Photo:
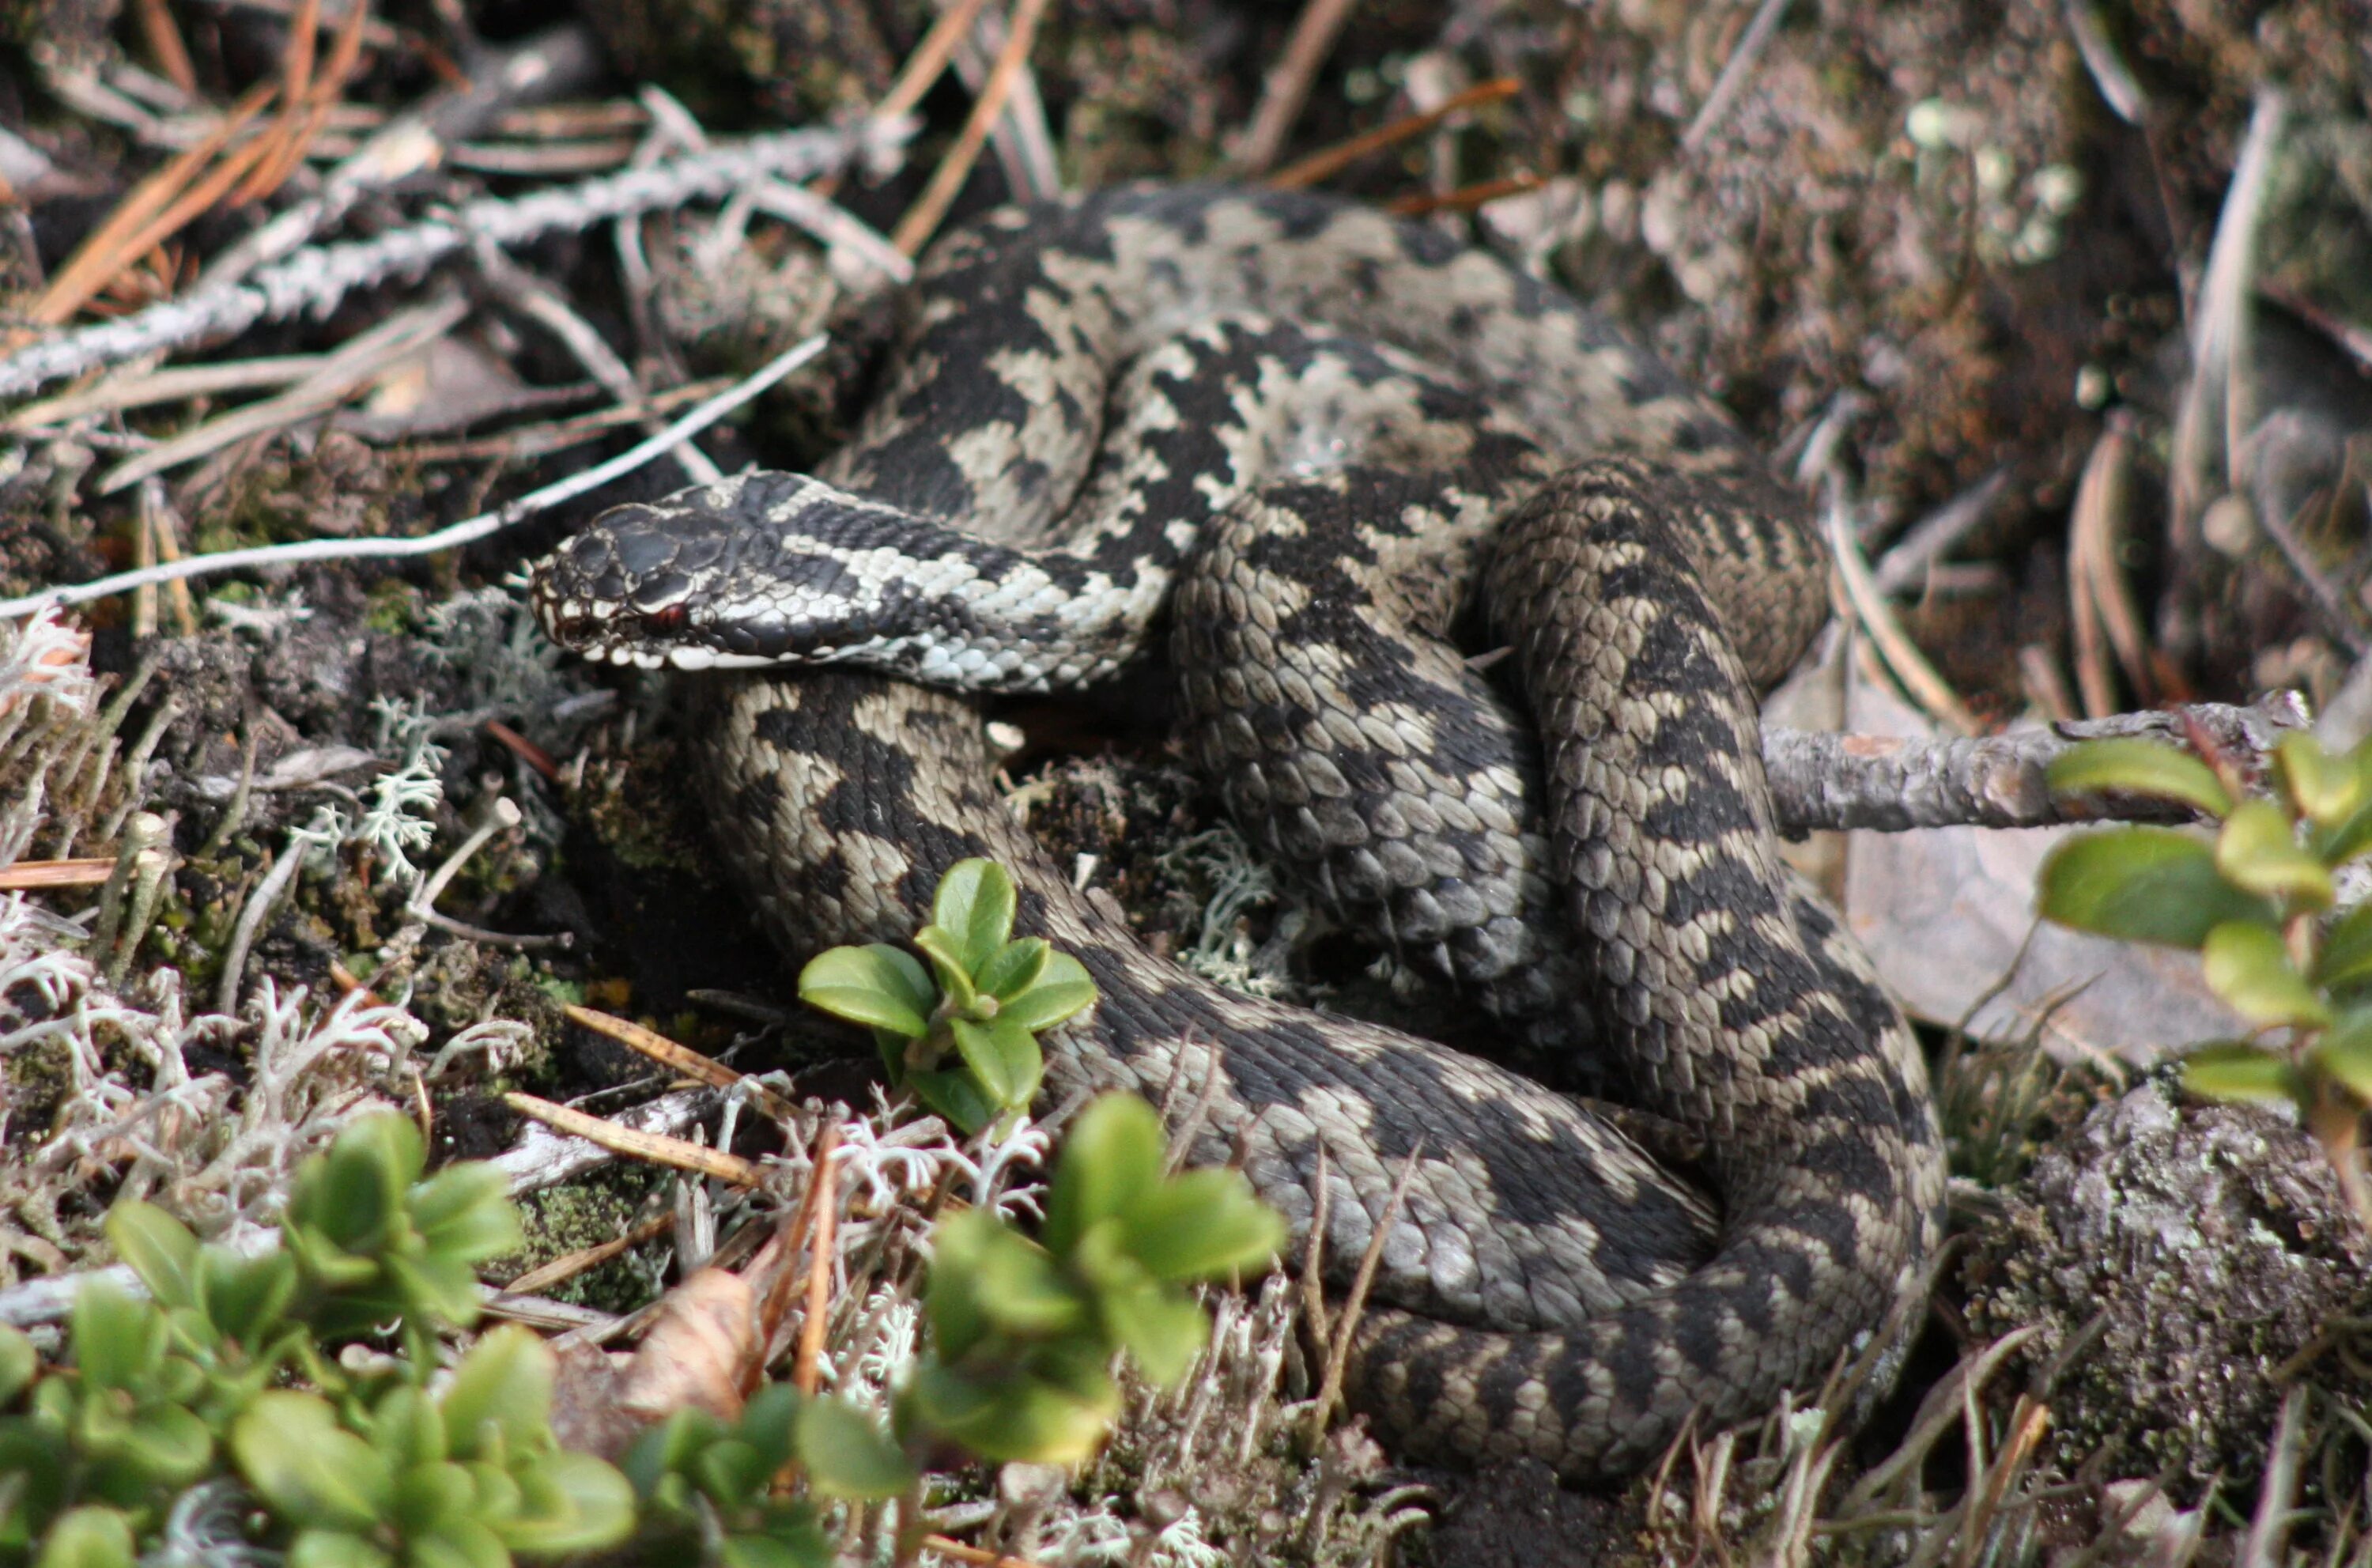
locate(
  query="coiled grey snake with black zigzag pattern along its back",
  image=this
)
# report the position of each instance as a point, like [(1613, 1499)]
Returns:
[(1320, 445)]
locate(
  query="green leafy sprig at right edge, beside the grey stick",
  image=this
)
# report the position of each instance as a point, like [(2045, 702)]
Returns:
[(2257, 907)]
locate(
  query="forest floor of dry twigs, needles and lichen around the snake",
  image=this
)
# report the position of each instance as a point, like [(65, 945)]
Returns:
[(2067, 310)]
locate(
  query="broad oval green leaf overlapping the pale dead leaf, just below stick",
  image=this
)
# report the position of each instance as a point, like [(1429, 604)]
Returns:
[(2143, 886)]
